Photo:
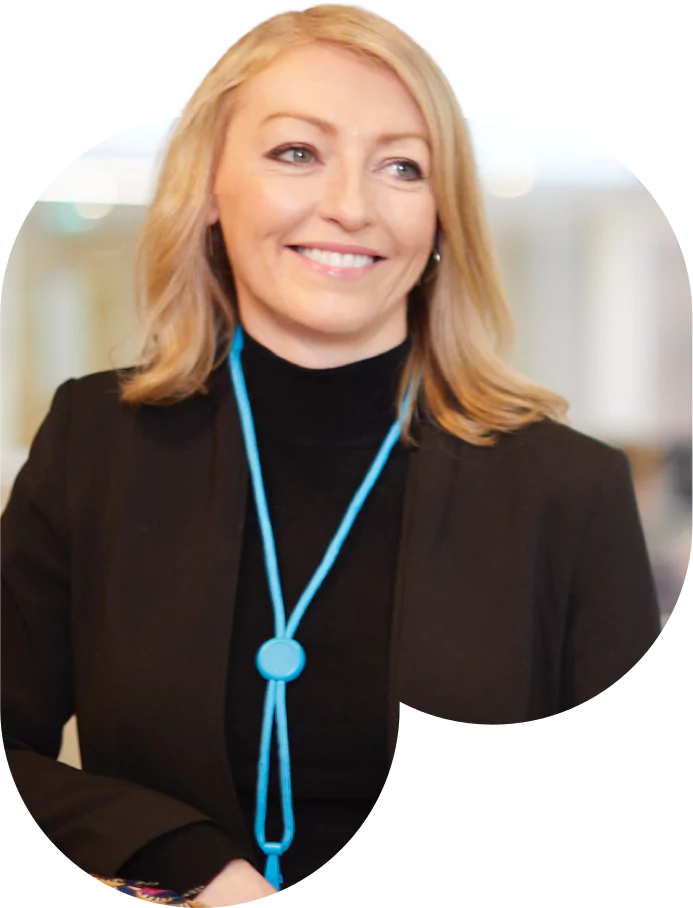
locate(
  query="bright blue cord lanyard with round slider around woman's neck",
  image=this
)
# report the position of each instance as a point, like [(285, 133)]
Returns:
[(281, 658)]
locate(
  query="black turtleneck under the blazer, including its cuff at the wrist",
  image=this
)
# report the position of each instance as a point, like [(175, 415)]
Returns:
[(318, 432)]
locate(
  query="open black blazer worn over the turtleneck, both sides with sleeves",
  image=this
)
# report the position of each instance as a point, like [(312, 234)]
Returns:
[(523, 590)]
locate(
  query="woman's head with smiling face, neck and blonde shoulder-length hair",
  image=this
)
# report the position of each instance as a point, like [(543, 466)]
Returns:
[(276, 150)]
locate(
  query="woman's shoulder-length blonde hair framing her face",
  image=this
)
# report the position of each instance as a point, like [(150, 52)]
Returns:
[(459, 322)]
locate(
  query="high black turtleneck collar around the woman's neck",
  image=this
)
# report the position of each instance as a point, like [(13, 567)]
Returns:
[(351, 404)]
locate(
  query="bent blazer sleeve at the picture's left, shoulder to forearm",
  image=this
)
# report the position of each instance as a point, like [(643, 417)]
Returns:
[(94, 822)]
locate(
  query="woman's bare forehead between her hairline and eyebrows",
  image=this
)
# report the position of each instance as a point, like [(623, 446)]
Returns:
[(329, 79)]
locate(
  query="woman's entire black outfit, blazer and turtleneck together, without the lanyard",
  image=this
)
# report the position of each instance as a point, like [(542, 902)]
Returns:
[(494, 587)]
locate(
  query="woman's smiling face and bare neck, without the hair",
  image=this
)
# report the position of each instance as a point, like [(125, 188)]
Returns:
[(349, 183)]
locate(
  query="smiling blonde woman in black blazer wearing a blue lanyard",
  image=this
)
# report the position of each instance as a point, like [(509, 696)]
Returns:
[(323, 310)]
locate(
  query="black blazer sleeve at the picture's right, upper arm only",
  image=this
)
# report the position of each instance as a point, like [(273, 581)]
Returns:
[(614, 617)]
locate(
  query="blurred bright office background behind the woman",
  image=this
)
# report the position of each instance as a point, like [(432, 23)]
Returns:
[(595, 271)]
